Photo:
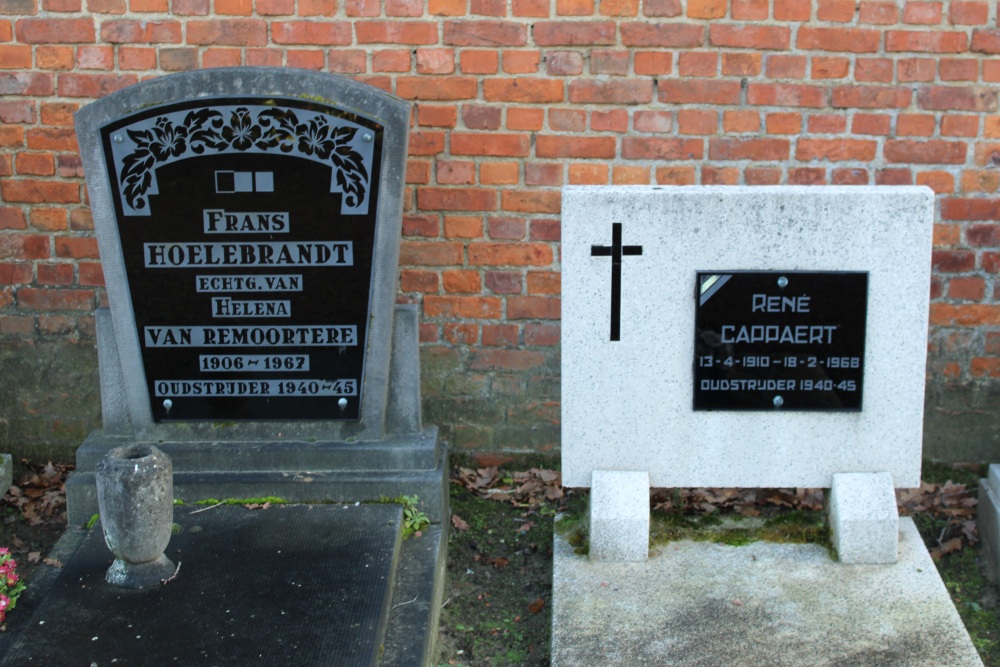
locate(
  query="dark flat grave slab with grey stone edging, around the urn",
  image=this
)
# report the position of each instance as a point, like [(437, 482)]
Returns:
[(286, 585)]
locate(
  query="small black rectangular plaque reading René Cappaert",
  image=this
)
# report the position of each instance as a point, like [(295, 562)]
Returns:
[(780, 340)]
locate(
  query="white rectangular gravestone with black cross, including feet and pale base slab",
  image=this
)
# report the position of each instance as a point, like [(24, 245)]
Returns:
[(743, 337)]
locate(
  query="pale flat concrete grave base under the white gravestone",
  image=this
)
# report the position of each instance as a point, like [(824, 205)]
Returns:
[(781, 605)]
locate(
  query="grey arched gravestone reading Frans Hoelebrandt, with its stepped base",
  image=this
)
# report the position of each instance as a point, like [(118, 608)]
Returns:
[(249, 222)]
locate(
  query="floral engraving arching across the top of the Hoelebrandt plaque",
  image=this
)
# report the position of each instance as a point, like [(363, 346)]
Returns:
[(207, 130)]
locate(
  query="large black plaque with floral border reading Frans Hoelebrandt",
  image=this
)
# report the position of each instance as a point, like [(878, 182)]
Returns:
[(247, 228)]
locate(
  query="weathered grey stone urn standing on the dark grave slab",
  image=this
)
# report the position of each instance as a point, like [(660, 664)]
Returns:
[(135, 494)]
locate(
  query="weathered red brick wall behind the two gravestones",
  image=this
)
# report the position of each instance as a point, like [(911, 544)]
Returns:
[(513, 99)]
